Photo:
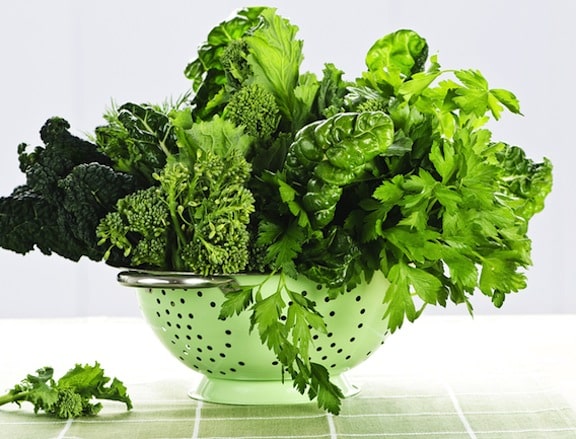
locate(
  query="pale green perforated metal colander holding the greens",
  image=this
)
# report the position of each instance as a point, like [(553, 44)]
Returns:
[(183, 311)]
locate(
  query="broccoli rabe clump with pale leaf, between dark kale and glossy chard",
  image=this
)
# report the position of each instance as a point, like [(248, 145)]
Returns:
[(197, 218)]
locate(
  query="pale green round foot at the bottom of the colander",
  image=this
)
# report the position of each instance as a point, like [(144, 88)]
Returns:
[(241, 392)]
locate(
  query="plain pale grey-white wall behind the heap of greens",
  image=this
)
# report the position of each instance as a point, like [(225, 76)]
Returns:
[(71, 59)]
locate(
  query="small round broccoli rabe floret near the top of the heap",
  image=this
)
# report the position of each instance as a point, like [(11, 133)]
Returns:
[(256, 110)]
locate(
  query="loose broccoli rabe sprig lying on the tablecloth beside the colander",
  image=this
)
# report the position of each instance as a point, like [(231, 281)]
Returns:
[(72, 395)]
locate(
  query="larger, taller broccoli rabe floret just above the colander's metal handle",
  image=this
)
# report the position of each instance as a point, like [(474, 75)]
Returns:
[(211, 208)]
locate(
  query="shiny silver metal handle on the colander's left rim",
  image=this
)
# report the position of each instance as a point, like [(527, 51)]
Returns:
[(158, 279)]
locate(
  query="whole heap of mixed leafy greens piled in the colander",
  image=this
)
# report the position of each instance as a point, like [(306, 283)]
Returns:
[(263, 167)]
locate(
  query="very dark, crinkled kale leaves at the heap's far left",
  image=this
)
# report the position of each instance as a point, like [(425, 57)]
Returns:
[(69, 187)]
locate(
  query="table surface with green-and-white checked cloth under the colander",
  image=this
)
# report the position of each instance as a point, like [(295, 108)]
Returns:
[(442, 377)]
